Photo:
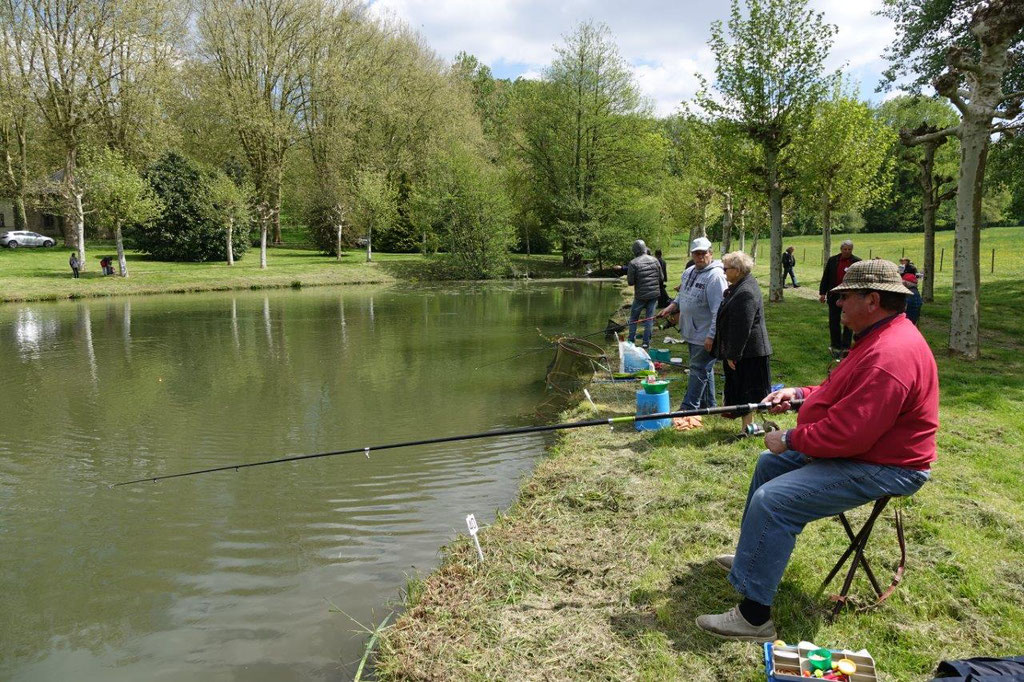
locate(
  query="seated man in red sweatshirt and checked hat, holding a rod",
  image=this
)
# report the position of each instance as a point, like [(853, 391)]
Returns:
[(867, 433)]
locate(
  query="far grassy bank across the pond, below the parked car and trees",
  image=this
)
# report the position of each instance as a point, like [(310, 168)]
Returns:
[(31, 275)]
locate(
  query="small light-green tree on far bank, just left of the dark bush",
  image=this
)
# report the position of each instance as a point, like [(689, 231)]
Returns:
[(117, 196)]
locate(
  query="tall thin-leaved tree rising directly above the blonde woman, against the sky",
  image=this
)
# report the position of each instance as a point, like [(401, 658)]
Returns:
[(770, 76)]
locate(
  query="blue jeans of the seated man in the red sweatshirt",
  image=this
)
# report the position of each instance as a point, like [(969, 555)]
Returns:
[(791, 490)]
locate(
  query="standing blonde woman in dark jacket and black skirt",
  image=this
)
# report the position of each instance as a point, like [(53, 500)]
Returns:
[(742, 338)]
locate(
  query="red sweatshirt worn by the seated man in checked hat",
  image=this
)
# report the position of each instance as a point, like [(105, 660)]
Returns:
[(880, 405)]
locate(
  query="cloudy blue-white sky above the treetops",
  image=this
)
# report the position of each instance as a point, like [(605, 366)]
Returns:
[(665, 41)]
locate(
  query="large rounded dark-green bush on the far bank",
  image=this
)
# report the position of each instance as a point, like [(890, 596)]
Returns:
[(191, 228)]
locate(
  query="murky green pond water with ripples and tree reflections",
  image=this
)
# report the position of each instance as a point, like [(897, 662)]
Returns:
[(266, 573)]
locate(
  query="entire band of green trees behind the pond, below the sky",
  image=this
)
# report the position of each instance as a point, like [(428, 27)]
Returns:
[(113, 112)]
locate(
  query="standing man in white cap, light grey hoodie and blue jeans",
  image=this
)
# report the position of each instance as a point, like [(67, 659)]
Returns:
[(701, 294)]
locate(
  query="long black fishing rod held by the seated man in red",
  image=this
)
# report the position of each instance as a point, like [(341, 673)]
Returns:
[(611, 421)]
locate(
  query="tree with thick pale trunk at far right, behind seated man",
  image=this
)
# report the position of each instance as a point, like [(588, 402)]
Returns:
[(967, 51)]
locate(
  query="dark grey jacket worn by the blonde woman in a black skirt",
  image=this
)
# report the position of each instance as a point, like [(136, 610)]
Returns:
[(741, 330)]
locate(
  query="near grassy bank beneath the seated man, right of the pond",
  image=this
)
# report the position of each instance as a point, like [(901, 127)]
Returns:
[(600, 569)]
